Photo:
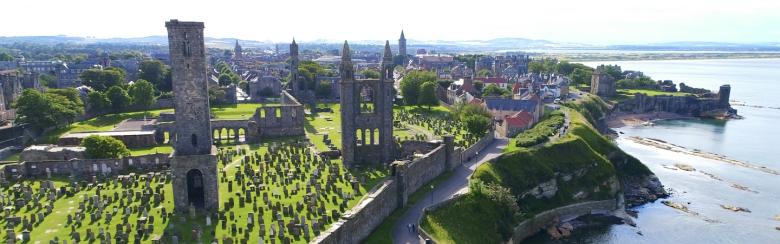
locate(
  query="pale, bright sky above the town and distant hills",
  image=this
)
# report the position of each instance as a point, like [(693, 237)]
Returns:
[(588, 22)]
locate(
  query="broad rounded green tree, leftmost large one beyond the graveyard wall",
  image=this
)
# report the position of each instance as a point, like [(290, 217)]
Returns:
[(43, 110)]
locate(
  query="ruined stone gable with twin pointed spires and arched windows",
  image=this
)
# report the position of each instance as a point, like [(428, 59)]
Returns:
[(367, 113)]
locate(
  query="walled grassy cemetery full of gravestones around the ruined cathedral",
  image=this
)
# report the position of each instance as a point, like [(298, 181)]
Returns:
[(266, 173)]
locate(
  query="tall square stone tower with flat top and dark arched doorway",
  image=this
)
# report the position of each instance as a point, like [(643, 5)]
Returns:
[(194, 161)]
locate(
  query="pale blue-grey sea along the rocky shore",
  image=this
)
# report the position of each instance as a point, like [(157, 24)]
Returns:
[(753, 140)]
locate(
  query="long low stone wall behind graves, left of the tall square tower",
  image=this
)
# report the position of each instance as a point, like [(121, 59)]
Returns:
[(87, 167)]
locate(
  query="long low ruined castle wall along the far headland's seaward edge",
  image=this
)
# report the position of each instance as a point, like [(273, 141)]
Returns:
[(686, 105)]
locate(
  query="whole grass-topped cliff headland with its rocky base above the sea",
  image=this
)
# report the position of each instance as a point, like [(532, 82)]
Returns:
[(581, 168)]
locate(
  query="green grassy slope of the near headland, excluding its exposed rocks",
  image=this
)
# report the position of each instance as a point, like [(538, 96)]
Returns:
[(522, 169)]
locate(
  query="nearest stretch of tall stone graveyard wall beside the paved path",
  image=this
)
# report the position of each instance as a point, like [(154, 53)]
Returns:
[(361, 220)]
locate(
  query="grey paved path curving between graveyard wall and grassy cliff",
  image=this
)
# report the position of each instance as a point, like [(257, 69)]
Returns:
[(457, 183)]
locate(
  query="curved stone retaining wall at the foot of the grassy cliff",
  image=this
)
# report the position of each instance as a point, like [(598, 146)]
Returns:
[(533, 225)]
